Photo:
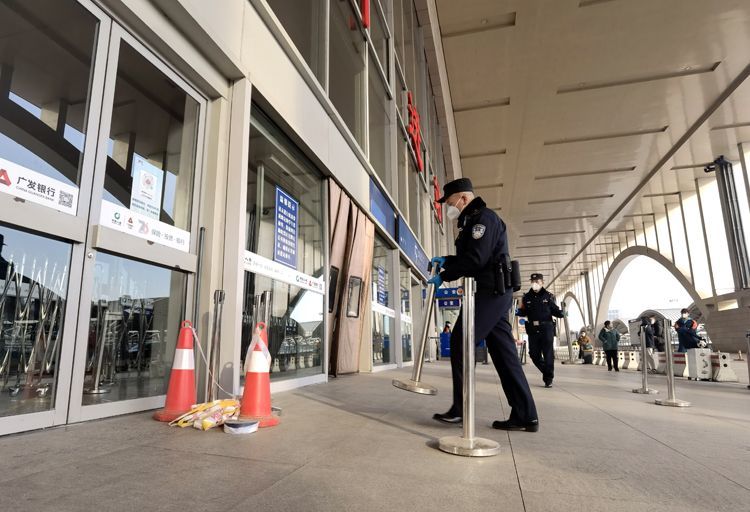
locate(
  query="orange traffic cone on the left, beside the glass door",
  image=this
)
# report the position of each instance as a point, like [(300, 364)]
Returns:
[(181, 391)]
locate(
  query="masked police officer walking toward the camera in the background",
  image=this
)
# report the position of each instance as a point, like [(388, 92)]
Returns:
[(539, 306)]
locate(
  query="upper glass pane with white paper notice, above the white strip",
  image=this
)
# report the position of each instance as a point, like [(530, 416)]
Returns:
[(152, 141)]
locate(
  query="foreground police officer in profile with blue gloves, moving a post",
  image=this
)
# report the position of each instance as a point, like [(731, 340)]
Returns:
[(482, 242)]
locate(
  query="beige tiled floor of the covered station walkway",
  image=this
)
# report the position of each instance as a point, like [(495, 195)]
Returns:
[(358, 443)]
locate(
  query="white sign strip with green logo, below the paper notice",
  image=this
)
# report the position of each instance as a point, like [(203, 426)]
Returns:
[(125, 220)]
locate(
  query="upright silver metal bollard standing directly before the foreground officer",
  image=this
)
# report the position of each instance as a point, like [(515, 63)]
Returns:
[(468, 445)]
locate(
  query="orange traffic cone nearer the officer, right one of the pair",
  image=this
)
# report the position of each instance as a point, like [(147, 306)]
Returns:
[(256, 399)]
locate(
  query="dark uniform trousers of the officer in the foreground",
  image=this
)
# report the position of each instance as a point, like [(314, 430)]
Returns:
[(491, 324)]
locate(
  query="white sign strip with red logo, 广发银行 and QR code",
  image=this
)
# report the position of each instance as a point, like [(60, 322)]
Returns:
[(35, 187)]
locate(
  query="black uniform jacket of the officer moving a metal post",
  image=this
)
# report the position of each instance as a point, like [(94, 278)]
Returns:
[(482, 239)]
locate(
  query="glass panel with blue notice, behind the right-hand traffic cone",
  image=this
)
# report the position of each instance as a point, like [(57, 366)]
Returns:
[(284, 282)]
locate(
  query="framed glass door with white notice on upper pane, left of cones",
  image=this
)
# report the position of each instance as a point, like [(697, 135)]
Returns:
[(140, 252)]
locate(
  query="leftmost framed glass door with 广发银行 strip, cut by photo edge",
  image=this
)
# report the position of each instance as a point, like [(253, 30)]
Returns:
[(52, 65)]
